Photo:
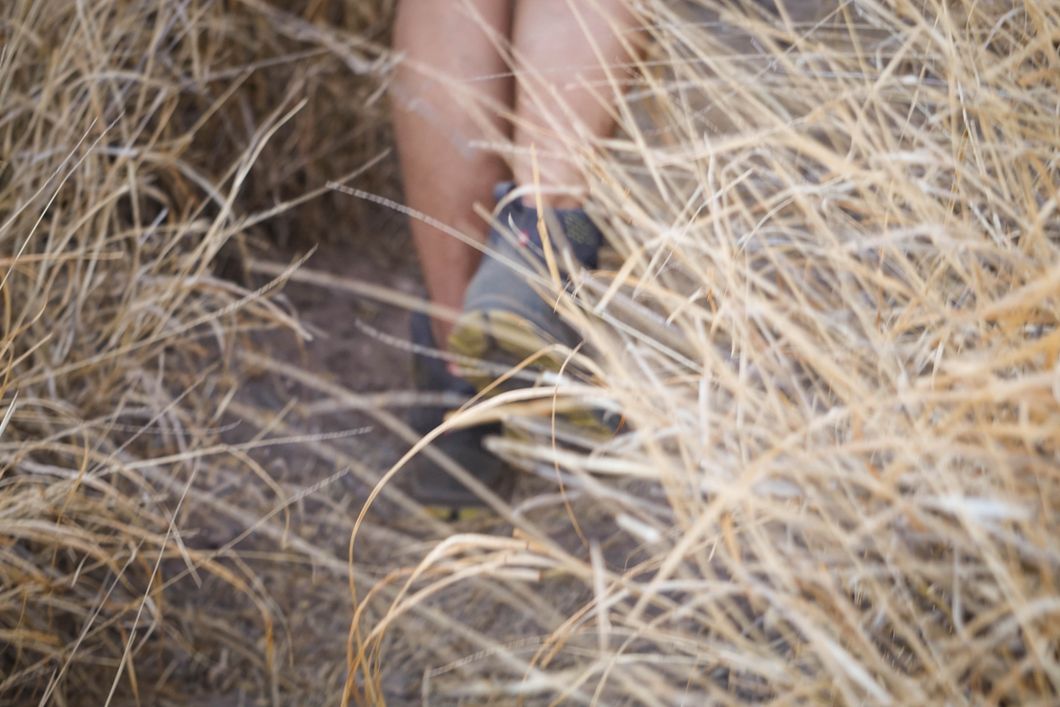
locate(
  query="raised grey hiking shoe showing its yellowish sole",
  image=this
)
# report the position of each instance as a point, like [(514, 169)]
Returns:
[(505, 321)]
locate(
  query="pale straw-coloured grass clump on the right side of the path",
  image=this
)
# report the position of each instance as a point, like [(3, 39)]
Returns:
[(834, 340)]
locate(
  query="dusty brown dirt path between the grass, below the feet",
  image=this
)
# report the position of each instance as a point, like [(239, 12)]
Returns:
[(356, 358)]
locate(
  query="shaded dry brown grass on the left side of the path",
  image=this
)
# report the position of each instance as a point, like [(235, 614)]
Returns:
[(138, 143)]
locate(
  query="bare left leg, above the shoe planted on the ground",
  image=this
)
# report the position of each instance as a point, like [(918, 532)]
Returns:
[(443, 102)]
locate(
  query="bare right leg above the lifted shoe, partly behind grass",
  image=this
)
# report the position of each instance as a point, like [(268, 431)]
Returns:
[(562, 48)]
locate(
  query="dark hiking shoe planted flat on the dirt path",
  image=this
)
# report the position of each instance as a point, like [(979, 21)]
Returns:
[(430, 483)]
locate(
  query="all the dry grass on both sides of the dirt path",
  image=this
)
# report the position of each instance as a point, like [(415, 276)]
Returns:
[(832, 331)]
